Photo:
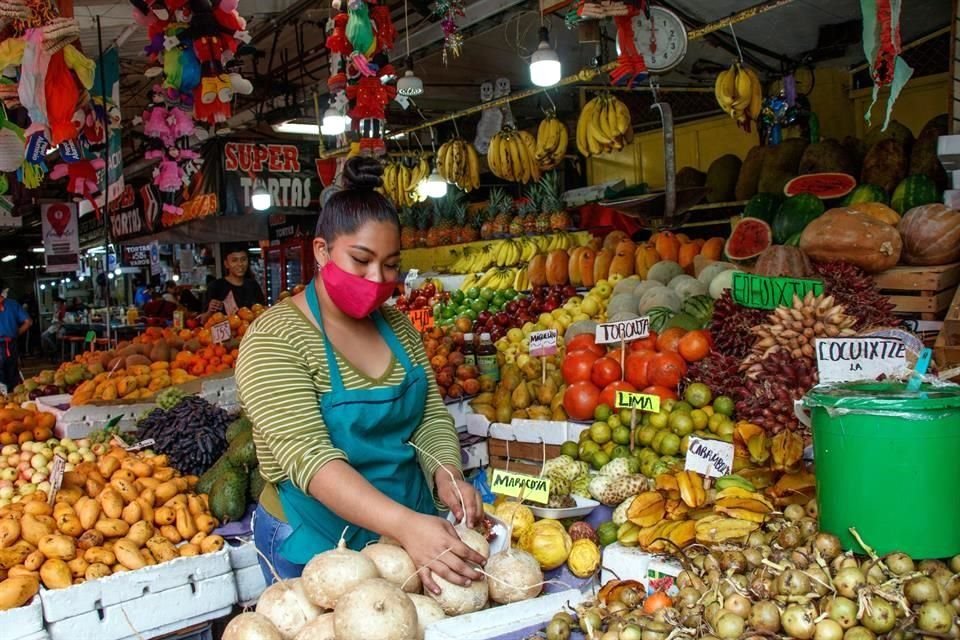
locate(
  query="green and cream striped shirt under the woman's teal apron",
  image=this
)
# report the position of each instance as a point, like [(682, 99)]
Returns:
[(281, 373)]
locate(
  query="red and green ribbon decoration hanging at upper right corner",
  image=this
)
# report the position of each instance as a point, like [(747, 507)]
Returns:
[(882, 47)]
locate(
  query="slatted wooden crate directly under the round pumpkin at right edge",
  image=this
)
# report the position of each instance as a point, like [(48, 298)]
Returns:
[(922, 292)]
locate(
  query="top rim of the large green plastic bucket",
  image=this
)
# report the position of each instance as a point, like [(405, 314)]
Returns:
[(883, 396)]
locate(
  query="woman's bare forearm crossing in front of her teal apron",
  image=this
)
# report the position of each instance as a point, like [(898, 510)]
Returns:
[(348, 494)]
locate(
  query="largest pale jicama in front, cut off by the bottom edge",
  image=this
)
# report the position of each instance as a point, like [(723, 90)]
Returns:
[(375, 610)]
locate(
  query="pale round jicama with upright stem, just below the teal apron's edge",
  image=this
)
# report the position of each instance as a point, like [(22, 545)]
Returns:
[(332, 573)]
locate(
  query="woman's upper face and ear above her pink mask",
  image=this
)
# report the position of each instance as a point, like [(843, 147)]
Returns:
[(371, 252)]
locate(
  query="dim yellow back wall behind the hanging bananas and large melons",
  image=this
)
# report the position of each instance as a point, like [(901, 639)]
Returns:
[(840, 112)]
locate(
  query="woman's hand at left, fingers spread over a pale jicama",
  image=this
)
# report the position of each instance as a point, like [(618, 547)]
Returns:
[(435, 547)]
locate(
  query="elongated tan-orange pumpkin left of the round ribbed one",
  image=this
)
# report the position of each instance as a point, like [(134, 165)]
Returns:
[(854, 237)]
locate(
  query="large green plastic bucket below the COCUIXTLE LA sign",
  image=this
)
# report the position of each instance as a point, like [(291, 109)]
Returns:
[(888, 464)]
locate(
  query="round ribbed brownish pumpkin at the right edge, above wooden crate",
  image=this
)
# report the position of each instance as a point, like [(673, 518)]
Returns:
[(931, 235)]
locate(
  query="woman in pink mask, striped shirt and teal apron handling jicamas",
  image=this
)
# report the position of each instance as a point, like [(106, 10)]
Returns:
[(336, 386)]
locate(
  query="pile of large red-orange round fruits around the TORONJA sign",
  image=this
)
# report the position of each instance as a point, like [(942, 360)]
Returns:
[(654, 365)]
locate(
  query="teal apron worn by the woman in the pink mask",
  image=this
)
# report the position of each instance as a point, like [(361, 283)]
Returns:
[(372, 427)]
